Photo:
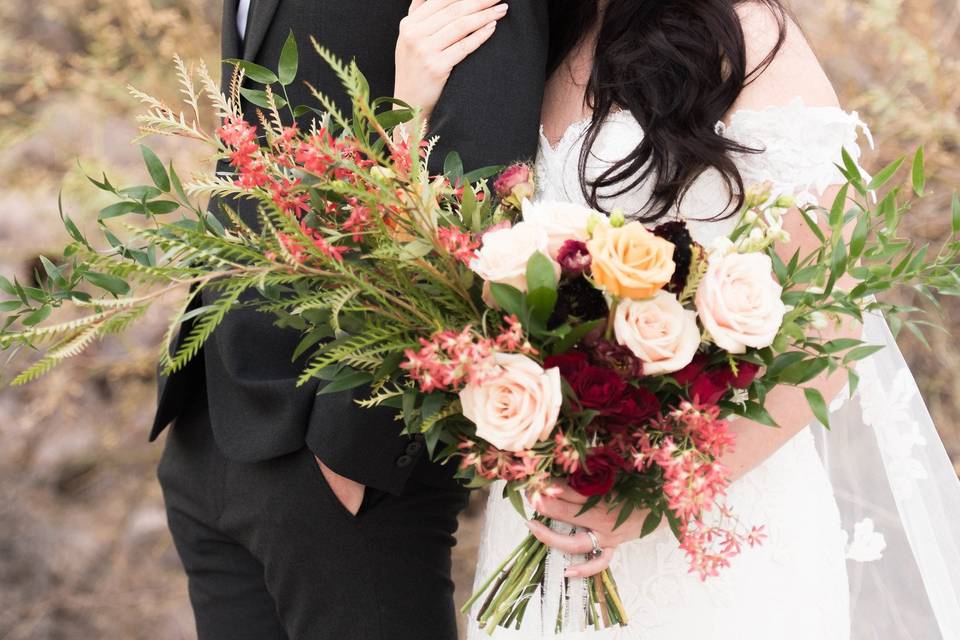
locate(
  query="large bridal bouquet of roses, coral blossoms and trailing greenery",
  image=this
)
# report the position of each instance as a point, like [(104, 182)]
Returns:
[(531, 343)]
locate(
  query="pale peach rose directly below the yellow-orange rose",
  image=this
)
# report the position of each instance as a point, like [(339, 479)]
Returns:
[(659, 331)]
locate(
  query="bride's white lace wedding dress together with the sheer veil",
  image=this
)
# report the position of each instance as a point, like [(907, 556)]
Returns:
[(797, 585)]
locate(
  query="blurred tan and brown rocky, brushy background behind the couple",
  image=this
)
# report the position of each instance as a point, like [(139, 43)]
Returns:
[(84, 551)]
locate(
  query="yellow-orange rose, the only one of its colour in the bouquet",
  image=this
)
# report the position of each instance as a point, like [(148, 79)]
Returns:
[(629, 261)]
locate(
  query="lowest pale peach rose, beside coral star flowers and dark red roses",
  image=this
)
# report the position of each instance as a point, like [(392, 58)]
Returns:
[(518, 407)]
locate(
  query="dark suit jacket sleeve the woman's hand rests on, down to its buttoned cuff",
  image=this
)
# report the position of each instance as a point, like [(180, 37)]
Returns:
[(489, 113)]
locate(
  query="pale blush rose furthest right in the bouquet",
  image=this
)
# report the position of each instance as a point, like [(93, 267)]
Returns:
[(739, 303)]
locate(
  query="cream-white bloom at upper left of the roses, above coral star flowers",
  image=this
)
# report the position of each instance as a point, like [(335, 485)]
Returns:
[(505, 252)]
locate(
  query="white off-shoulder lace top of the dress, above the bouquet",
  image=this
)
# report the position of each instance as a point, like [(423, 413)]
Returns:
[(800, 148)]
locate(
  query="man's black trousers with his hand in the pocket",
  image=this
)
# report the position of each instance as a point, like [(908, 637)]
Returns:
[(271, 553)]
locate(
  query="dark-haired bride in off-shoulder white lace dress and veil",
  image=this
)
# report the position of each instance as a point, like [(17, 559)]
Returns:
[(670, 109)]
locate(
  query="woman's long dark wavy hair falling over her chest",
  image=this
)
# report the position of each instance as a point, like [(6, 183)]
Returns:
[(677, 66)]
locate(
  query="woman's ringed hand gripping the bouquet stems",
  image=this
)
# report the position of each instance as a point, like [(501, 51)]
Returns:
[(564, 508)]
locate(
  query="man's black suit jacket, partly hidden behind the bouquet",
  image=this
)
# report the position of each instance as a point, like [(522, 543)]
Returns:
[(489, 113)]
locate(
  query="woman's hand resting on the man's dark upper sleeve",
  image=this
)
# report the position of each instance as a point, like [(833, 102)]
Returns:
[(435, 36)]
